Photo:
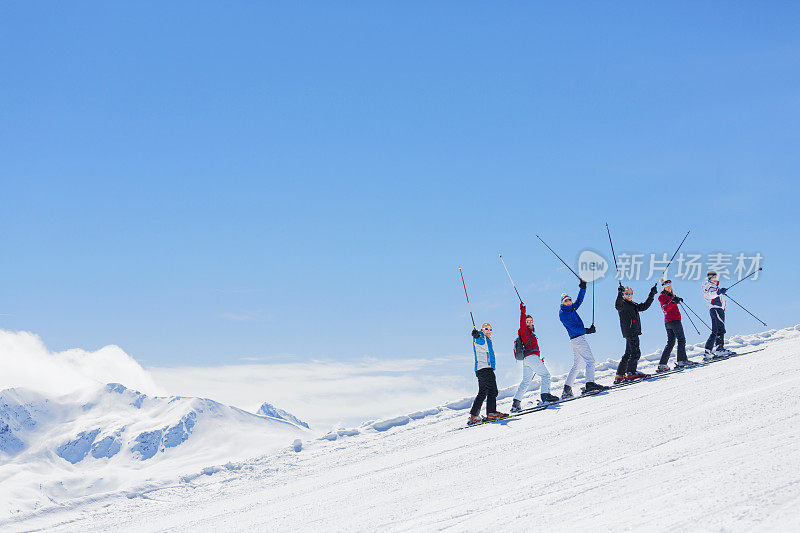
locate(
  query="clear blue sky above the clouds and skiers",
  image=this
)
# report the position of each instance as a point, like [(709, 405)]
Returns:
[(201, 185)]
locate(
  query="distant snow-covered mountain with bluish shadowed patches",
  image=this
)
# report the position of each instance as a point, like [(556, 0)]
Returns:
[(114, 438)]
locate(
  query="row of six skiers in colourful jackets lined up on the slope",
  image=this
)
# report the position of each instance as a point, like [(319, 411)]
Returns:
[(526, 346)]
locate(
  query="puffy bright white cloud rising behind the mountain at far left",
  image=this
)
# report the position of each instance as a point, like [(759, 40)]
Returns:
[(26, 362)]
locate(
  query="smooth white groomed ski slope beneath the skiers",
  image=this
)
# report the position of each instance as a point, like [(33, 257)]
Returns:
[(716, 448)]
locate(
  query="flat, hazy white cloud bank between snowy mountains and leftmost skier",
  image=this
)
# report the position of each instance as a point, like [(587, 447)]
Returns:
[(327, 393)]
